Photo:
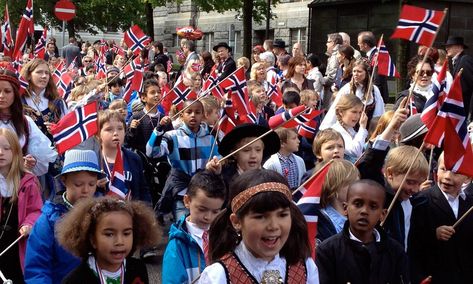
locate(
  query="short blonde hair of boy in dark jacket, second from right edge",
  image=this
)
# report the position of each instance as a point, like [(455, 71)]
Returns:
[(400, 158)]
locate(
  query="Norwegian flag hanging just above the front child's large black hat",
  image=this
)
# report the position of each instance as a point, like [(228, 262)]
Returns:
[(235, 84)]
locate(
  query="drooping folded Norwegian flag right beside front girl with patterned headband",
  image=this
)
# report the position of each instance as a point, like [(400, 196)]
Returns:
[(310, 201)]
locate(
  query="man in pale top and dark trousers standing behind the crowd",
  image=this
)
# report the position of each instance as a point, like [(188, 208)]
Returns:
[(333, 43)]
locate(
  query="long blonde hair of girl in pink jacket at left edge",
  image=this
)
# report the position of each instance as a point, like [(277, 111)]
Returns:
[(16, 168)]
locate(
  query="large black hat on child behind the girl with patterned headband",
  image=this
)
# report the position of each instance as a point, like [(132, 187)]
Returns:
[(271, 141)]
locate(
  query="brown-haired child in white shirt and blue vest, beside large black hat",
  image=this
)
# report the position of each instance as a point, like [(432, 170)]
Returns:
[(285, 162)]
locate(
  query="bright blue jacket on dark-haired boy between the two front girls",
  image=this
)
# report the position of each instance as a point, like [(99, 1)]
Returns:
[(182, 256)]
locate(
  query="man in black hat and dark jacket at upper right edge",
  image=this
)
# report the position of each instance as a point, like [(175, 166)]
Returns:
[(455, 50)]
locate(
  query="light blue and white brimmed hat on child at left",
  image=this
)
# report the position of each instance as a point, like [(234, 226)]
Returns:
[(80, 160)]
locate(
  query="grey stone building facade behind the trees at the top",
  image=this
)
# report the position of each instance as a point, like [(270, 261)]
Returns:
[(290, 24)]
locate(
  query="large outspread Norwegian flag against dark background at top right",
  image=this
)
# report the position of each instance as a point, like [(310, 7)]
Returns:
[(418, 24)]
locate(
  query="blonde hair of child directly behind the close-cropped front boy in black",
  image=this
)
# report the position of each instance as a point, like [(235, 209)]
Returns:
[(340, 174)]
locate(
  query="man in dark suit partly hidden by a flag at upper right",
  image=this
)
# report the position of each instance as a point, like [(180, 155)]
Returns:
[(367, 44)]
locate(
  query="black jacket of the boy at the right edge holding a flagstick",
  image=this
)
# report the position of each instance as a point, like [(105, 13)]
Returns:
[(446, 261)]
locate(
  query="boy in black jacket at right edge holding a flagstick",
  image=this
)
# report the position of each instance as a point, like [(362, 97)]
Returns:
[(436, 248)]
